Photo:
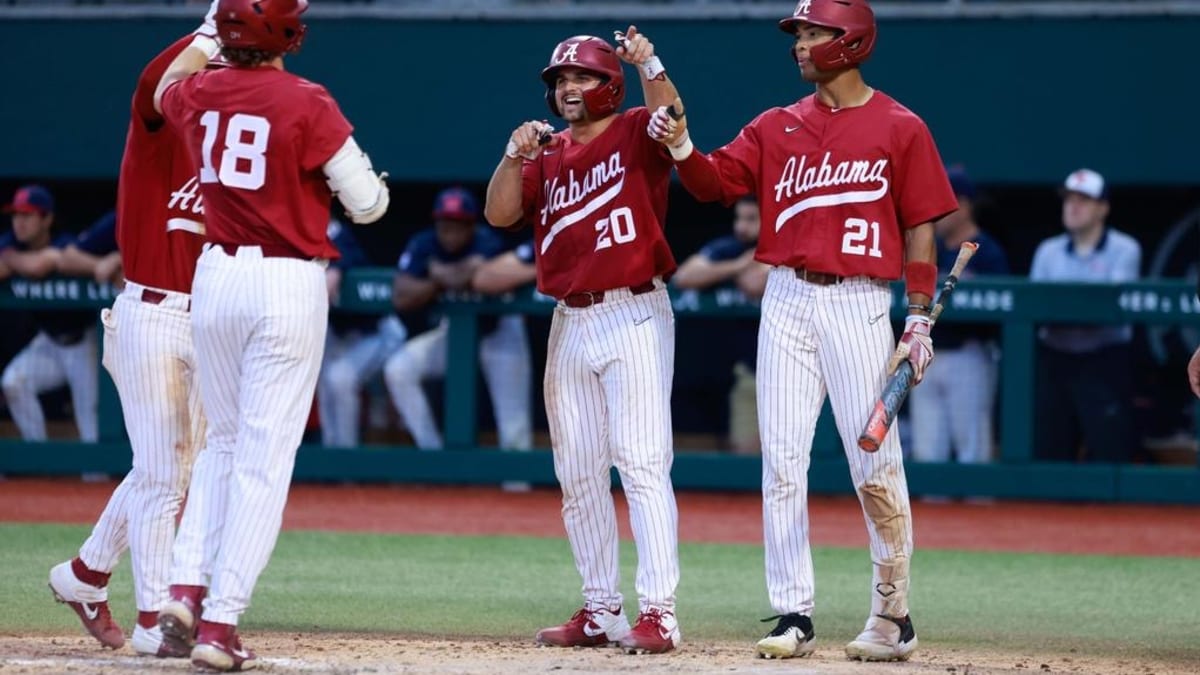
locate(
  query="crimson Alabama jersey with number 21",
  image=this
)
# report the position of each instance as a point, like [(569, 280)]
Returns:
[(837, 188)]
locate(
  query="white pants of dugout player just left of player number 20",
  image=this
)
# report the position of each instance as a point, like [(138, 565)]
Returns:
[(505, 359)]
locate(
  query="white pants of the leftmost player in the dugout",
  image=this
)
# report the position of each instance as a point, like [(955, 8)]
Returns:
[(44, 366)]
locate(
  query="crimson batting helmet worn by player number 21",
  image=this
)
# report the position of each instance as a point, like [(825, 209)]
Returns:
[(854, 19)]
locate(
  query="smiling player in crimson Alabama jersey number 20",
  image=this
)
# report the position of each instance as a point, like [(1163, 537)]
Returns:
[(597, 198)]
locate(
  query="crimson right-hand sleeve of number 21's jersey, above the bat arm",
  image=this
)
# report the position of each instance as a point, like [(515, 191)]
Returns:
[(922, 190)]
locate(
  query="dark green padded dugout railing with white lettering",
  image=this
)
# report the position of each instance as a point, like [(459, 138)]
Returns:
[(1015, 303)]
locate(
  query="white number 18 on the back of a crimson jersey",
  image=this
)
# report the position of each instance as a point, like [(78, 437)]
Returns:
[(244, 158)]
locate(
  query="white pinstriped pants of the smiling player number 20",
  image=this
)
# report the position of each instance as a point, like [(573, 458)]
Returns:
[(609, 373)]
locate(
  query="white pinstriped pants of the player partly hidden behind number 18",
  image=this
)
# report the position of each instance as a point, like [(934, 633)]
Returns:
[(148, 351)]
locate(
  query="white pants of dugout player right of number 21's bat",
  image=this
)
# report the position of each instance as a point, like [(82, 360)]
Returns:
[(953, 407)]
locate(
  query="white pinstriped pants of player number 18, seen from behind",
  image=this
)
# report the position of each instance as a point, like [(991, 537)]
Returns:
[(260, 330)]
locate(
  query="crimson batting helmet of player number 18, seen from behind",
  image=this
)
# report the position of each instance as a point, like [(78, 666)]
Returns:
[(267, 26)]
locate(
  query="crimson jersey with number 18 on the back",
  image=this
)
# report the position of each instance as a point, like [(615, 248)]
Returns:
[(261, 138)]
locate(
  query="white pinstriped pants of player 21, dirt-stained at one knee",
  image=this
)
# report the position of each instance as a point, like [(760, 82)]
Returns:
[(815, 341)]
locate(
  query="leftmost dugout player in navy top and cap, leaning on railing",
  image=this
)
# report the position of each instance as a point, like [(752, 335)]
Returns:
[(64, 350)]
